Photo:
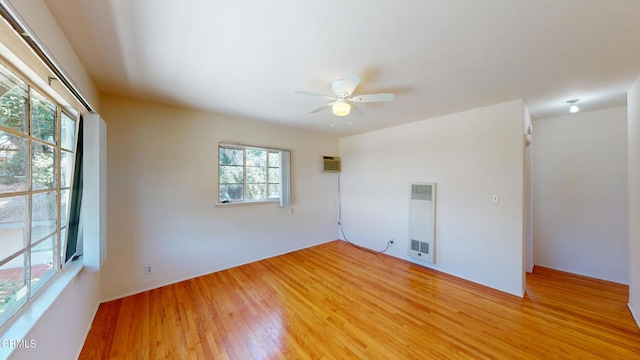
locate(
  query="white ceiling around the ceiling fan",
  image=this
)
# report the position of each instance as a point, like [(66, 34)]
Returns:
[(247, 58)]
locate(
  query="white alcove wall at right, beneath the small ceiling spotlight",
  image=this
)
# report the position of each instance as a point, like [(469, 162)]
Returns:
[(580, 194)]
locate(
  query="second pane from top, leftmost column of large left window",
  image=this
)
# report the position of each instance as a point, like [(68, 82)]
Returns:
[(13, 168)]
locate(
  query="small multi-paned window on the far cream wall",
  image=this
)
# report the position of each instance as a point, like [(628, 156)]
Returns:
[(251, 174)]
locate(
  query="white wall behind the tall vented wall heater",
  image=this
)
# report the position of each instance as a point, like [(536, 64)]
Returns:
[(470, 155)]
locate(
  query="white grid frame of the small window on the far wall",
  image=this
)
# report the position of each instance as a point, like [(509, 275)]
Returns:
[(267, 183)]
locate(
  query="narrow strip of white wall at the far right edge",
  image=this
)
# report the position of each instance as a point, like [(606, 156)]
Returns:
[(633, 139)]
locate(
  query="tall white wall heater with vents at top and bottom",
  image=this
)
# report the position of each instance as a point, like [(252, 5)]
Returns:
[(422, 221)]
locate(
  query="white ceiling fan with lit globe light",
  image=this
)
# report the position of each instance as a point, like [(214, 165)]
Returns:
[(342, 100)]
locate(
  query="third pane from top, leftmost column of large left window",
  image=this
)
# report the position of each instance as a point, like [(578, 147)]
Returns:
[(13, 211)]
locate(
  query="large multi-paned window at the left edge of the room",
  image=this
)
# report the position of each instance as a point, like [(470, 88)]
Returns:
[(37, 140)]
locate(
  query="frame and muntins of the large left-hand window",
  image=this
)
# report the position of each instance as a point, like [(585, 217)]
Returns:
[(30, 244)]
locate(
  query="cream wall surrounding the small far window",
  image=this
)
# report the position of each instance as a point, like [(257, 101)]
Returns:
[(162, 186)]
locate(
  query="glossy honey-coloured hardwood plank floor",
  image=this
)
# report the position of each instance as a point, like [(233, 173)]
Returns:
[(334, 301)]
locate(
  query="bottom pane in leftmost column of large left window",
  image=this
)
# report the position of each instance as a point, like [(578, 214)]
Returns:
[(13, 287)]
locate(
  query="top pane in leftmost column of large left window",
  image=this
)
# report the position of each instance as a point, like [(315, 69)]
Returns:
[(13, 101)]
